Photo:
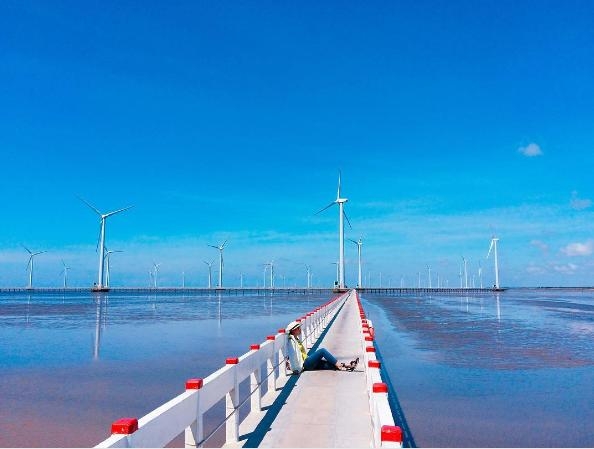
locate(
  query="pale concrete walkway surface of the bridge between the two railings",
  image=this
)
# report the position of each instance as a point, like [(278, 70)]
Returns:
[(319, 408)]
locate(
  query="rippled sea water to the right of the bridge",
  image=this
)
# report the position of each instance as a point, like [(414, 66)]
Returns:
[(514, 369)]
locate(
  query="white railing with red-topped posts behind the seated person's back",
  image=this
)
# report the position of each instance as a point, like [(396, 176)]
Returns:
[(185, 413)]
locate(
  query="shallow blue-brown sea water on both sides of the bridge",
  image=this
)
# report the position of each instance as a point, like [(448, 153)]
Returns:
[(505, 370)]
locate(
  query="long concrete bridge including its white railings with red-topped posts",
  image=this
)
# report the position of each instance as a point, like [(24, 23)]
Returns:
[(314, 409)]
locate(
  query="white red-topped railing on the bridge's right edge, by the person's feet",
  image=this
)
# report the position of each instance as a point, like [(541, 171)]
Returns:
[(385, 432)]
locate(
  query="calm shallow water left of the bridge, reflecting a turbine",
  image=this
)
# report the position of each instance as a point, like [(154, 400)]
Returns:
[(72, 364)]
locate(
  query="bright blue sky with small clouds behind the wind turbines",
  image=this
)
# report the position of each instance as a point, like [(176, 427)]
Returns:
[(231, 120)]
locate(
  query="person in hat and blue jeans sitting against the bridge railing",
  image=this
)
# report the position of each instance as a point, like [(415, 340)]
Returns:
[(299, 360)]
